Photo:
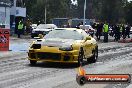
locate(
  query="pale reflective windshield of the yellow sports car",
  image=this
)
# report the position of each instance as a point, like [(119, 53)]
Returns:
[(65, 34)]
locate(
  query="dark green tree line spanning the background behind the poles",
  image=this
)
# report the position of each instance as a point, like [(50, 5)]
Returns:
[(112, 11)]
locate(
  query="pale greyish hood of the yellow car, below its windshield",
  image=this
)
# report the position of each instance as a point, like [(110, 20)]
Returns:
[(56, 42)]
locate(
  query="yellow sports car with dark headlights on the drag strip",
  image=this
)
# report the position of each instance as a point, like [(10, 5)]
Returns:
[(64, 45)]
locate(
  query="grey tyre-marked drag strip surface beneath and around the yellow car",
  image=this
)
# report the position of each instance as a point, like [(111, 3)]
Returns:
[(17, 73)]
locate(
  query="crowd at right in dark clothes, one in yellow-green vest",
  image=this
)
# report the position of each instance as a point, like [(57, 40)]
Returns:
[(117, 31)]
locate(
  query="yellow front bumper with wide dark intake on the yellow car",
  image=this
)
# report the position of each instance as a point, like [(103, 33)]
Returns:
[(58, 56)]
